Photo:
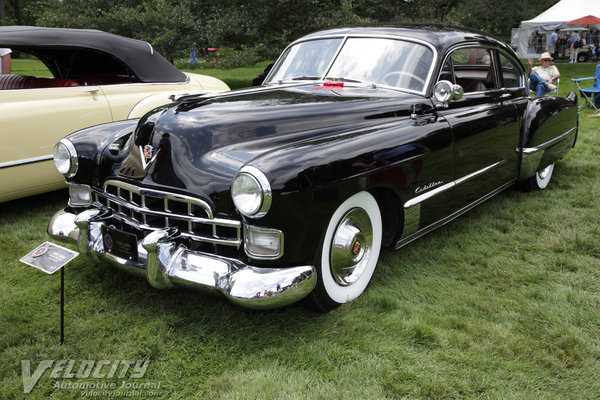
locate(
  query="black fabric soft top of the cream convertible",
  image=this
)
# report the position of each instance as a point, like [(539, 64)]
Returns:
[(140, 58)]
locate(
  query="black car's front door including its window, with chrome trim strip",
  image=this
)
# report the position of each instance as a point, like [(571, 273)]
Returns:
[(485, 125)]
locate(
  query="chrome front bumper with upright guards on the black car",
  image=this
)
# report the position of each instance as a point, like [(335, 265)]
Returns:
[(167, 264)]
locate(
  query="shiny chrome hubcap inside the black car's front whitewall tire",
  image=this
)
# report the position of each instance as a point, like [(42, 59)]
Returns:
[(351, 247)]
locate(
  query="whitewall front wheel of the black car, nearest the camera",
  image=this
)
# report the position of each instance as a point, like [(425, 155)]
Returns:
[(349, 252)]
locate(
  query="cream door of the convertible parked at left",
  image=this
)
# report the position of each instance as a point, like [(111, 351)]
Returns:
[(33, 120)]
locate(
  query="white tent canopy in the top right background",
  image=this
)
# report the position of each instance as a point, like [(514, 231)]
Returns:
[(551, 19)]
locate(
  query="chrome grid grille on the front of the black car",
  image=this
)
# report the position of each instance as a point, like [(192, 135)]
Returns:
[(150, 209)]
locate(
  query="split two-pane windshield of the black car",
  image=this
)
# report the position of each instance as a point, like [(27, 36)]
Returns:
[(381, 61)]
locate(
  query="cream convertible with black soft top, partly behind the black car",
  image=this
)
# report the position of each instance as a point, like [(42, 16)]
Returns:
[(97, 77)]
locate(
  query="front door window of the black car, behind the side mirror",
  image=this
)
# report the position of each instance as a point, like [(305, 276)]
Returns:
[(472, 69)]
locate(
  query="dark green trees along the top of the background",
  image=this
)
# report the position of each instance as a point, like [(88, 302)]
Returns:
[(261, 27)]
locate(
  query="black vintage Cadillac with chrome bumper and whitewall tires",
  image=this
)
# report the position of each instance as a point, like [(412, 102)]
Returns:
[(360, 138)]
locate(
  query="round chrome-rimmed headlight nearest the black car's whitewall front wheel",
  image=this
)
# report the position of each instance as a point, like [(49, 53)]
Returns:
[(251, 192)]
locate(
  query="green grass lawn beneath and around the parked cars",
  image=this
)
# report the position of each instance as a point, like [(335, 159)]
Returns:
[(502, 303)]
